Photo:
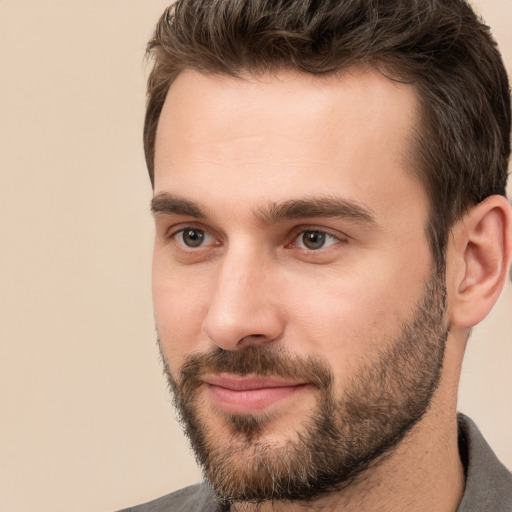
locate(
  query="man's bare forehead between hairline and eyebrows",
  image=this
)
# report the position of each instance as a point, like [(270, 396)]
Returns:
[(273, 137)]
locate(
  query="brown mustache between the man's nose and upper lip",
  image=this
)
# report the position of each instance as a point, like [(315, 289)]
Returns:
[(254, 360)]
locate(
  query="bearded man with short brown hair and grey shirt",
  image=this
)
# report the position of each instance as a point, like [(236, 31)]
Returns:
[(329, 198)]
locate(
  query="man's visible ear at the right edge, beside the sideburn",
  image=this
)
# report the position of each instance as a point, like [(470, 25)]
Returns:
[(478, 260)]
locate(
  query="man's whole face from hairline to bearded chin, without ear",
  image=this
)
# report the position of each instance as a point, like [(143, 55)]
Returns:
[(298, 314)]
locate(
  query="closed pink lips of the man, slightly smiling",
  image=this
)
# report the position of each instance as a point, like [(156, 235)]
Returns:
[(249, 394)]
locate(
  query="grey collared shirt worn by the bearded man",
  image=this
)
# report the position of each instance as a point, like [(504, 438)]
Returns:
[(488, 482)]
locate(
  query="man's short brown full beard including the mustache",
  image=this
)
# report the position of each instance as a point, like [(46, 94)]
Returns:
[(348, 432)]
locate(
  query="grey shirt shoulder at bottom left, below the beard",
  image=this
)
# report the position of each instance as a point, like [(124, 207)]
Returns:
[(195, 498)]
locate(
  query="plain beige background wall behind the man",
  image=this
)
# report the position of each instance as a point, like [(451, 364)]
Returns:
[(85, 418)]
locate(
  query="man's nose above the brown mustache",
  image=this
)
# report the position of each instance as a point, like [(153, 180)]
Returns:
[(244, 307)]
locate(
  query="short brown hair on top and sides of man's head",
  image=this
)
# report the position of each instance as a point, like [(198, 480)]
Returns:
[(439, 46)]
